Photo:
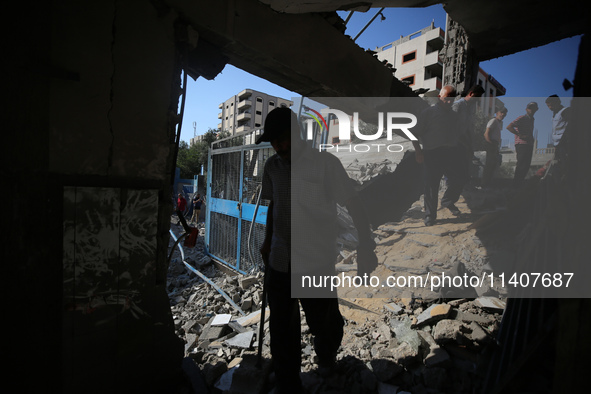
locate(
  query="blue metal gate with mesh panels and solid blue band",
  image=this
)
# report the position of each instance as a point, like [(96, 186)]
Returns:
[(235, 215)]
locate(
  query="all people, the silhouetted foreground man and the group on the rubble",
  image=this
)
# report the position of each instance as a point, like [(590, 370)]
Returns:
[(303, 187)]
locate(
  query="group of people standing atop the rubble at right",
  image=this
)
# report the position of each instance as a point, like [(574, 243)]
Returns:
[(445, 132)]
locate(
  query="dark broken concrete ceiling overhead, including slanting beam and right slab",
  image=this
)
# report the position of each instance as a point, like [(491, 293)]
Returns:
[(301, 45)]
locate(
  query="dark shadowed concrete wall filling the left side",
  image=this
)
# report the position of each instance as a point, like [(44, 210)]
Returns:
[(89, 172)]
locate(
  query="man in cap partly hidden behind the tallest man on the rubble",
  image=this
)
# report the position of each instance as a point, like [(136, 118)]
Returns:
[(466, 109)]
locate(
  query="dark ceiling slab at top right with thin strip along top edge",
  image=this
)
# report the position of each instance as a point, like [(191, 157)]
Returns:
[(495, 28)]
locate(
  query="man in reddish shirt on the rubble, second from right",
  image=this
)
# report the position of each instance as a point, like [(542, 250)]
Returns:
[(523, 128)]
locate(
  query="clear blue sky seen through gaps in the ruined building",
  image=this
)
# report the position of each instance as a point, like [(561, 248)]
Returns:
[(532, 75)]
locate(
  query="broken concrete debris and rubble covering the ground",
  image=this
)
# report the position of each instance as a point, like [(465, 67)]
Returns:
[(403, 342)]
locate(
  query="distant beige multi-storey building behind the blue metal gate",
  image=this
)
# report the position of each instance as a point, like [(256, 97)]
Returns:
[(247, 110)]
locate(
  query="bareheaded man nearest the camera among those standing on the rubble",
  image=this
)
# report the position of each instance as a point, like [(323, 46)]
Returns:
[(438, 133)]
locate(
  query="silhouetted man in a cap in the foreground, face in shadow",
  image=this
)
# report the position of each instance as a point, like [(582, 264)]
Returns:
[(303, 187)]
